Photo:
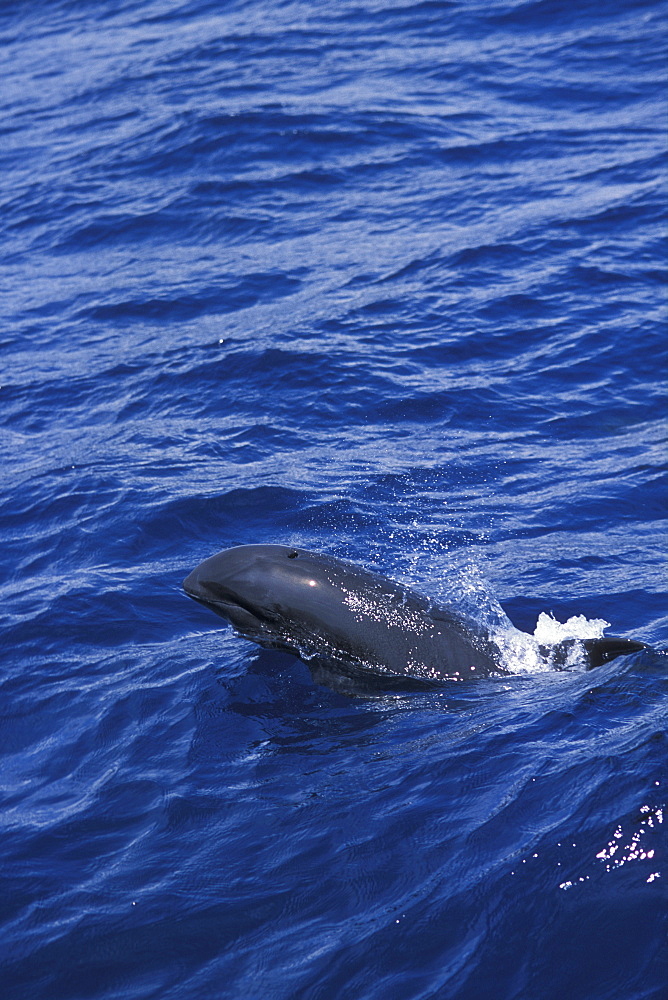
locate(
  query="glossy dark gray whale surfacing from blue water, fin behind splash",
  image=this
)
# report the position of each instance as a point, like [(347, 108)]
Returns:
[(328, 611)]
